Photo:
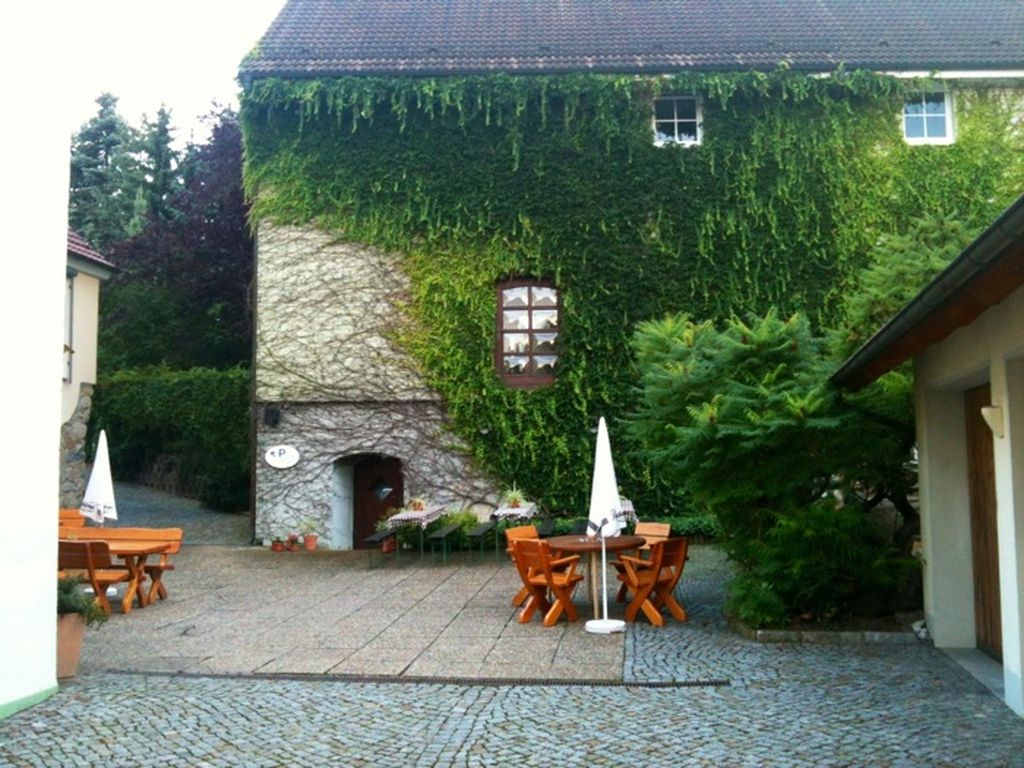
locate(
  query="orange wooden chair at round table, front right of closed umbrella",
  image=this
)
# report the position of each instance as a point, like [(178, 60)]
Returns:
[(654, 581)]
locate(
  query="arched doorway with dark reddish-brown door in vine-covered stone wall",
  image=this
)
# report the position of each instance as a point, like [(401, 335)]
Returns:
[(364, 489)]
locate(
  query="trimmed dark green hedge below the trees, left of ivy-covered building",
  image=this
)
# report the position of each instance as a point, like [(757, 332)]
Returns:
[(200, 416)]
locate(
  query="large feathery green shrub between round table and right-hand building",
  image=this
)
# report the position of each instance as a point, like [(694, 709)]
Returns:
[(742, 419)]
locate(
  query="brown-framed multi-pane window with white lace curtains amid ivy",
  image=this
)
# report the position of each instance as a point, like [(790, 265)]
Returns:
[(528, 348)]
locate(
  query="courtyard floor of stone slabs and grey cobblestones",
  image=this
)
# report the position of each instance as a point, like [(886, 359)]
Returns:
[(313, 660)]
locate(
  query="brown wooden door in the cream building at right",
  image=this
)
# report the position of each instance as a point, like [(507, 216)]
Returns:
[(985, 544)]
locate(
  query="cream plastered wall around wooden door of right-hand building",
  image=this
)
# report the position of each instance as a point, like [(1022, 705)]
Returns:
[(992, 350)]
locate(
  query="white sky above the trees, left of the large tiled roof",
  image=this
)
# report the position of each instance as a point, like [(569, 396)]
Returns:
[(183, 54)]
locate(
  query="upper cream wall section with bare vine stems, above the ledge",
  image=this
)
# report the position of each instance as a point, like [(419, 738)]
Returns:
[(326, 310)]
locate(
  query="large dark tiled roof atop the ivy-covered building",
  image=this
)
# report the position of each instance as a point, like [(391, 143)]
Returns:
[(421, 37)]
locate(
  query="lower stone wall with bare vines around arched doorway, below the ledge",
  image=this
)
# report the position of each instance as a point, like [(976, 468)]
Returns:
[(435, 465)]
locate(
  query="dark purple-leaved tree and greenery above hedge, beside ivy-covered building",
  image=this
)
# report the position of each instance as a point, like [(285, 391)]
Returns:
[(181, 295)]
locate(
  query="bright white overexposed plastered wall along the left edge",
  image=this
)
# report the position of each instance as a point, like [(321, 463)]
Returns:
[(34, 200)]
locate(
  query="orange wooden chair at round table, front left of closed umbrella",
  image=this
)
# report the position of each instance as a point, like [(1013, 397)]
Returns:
[(542, 575)]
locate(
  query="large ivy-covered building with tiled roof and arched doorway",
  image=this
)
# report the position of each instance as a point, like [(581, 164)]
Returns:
[(464, 207)]
